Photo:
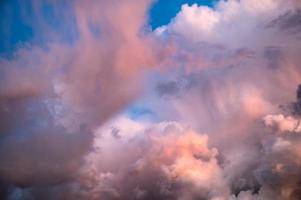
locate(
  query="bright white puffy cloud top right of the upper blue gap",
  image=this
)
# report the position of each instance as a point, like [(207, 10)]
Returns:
[(234, 23)]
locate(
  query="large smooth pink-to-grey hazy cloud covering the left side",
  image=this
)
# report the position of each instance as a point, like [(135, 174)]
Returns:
[(53, 96)]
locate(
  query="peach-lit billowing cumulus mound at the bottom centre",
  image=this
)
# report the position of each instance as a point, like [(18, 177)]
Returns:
[(159, 161)]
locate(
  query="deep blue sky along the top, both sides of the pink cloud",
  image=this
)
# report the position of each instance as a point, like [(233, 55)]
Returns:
[(15, 30)]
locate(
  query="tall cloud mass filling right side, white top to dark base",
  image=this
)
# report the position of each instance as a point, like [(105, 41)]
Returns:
[(234, 62)]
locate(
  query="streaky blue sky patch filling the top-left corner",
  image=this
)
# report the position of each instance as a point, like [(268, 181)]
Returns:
[(24, 23)]
